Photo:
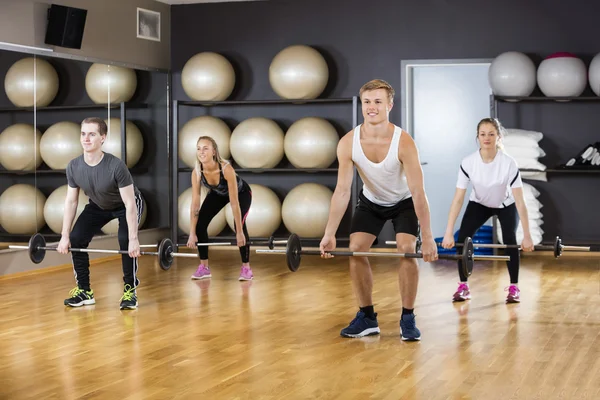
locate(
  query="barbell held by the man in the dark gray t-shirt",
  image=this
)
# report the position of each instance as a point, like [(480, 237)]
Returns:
[(165, 254)]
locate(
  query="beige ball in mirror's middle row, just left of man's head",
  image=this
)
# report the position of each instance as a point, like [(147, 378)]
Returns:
[(60, 144)]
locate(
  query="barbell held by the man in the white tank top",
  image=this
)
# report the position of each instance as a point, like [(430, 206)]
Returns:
[(294, 253)]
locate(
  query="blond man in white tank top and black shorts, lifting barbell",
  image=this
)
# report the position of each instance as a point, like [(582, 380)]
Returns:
[(388, 163)]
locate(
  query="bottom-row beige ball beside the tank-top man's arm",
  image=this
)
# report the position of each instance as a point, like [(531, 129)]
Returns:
[(305, 209)]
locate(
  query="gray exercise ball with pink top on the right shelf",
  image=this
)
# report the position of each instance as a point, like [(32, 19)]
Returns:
[(562, 74)]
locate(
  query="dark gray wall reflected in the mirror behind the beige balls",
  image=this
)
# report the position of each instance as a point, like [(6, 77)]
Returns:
[(150, 173)]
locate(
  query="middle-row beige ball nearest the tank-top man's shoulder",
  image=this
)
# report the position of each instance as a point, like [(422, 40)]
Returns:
[(311, 143)]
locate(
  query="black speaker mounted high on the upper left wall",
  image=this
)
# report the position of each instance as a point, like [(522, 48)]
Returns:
[(65, 26)]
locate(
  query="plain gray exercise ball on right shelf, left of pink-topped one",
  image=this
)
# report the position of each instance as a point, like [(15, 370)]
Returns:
[(512, 74)]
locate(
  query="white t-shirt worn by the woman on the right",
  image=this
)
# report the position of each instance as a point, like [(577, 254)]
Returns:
[(492, 182)]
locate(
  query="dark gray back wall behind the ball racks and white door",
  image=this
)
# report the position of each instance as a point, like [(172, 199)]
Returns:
[(365, 40)]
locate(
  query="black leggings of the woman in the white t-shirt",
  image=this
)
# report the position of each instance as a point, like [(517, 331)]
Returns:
[(475, 216)]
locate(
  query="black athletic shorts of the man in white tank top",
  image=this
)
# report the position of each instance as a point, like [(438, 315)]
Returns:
[(370, 217)]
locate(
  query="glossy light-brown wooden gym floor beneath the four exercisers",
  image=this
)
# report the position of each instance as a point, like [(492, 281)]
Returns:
[(278, 336)]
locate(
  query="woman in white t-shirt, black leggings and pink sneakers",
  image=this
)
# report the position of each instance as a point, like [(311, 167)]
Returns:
[(497, 189)]
